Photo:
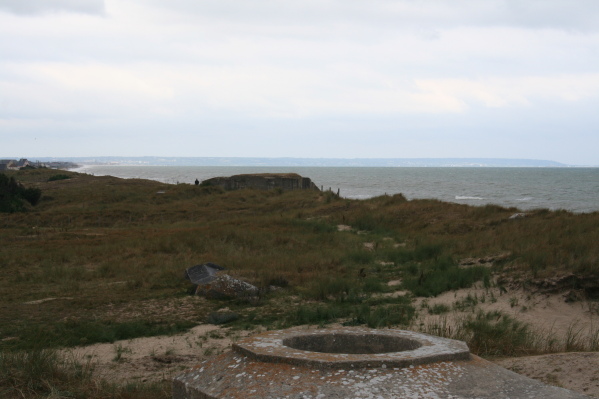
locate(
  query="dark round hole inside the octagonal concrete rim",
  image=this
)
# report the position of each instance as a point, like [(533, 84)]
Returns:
[(351, 343)]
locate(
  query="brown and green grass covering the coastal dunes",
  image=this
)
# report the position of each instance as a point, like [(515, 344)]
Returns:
[(100, 259)]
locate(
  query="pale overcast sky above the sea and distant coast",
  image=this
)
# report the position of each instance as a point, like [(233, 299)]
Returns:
[(309, 78)]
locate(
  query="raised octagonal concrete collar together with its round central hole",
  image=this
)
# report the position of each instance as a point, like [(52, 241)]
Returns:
[(350, 347)]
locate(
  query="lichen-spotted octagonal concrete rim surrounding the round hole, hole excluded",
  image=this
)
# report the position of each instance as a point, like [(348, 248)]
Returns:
[(270, 347)]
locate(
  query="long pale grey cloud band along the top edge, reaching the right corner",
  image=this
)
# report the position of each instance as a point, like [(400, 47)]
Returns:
[(431, 14)]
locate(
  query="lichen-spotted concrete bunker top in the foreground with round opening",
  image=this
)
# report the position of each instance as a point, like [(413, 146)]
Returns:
[(355, 363)]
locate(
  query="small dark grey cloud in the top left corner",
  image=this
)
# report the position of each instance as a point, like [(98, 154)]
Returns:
[(36, 7)]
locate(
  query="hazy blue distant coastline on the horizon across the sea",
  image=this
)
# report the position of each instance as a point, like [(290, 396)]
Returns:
[(309, 162)]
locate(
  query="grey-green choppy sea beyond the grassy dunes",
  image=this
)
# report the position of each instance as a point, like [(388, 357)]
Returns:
[(572, 189)]
